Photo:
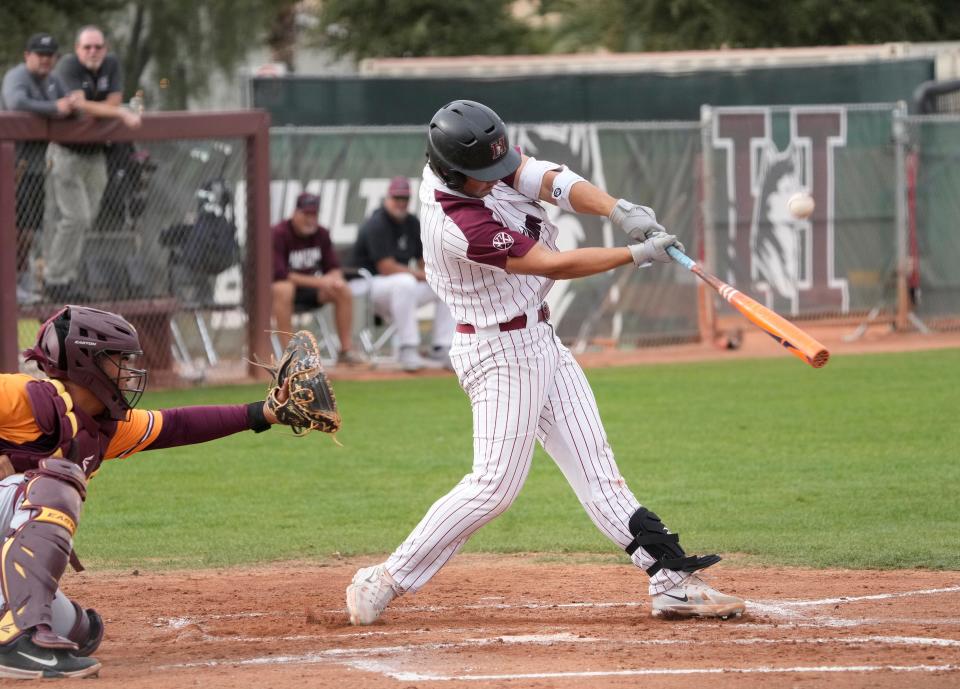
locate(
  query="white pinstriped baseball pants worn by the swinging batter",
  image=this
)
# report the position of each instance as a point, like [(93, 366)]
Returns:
[(524, 385)]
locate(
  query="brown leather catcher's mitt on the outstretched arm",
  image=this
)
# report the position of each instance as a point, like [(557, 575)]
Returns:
[(310, 404)]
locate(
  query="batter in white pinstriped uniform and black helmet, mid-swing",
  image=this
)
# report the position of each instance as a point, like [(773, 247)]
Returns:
[(491, 255)]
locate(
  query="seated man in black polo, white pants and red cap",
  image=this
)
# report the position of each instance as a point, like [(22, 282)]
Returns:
[(388, 245)]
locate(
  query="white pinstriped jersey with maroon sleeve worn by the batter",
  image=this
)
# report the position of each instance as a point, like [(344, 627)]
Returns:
[(466, 242)]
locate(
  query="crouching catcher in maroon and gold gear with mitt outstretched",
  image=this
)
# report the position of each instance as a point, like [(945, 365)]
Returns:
[(54, 435)]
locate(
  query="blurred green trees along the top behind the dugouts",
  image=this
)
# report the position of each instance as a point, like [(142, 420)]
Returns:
[(183, 44)]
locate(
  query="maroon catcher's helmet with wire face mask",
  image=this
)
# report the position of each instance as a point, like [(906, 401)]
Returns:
[(77, 342)]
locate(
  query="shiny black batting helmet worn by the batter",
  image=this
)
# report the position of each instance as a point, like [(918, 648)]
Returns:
[(468, 139)]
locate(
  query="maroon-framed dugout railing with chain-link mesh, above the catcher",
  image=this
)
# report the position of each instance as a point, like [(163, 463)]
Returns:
[(172, 185)]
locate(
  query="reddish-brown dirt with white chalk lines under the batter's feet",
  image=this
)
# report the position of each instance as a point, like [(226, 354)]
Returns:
[(522, 621)]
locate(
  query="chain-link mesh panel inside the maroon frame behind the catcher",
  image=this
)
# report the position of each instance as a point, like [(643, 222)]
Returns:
[(153, 228)]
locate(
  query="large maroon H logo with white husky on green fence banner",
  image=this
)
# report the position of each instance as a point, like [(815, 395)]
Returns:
[(788, 262)]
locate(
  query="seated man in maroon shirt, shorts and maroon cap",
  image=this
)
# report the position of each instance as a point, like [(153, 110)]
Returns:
[(307, 274)]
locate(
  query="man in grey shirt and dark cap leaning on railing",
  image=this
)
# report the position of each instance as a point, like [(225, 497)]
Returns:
[(31, 87)]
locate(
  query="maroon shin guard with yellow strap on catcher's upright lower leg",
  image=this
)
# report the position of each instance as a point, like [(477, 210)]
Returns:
[(35, 556)]
